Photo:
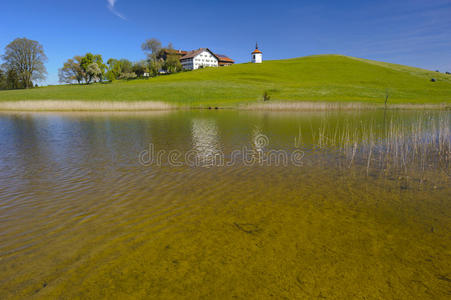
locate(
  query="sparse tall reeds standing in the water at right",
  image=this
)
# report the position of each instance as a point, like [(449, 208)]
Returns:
[(419, 149)]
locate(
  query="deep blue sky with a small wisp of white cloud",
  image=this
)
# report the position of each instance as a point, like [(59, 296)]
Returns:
[(411, 32)]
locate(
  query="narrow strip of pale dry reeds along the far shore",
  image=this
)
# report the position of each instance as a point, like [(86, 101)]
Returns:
[(137, 106)]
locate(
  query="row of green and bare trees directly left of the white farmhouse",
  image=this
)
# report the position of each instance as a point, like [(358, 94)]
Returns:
[(91, 68)]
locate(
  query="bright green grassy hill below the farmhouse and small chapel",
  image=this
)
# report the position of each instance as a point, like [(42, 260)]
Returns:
[(313, 78)]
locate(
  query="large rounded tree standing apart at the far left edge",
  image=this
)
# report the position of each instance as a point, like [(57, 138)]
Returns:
[(23, 64)]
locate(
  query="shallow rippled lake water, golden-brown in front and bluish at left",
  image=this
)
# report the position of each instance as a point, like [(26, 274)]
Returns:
[(84, 215)]
